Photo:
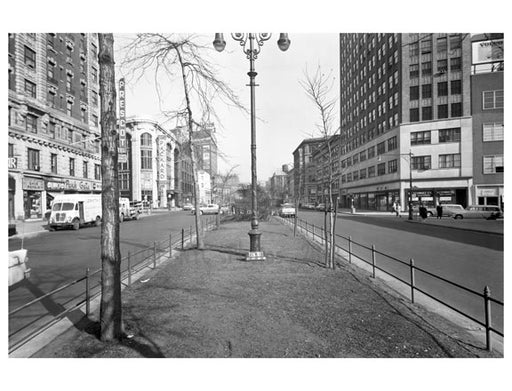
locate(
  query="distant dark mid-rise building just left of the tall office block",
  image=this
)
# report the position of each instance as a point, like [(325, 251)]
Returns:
[(305, 186)]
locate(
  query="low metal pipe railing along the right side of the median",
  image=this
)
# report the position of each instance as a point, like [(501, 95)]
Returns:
[(407, 273)]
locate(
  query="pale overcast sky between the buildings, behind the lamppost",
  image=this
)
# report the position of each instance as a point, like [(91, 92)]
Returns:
[(286, 115)]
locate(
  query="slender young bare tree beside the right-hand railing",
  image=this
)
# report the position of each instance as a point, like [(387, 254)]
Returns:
[(318, 88)]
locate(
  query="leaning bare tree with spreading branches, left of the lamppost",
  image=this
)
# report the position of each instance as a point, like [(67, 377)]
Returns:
[(182, 56)]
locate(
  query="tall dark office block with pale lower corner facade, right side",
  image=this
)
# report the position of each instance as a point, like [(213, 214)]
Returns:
[(405, 113)]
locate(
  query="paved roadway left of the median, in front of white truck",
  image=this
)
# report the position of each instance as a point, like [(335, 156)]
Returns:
[(59, 257)]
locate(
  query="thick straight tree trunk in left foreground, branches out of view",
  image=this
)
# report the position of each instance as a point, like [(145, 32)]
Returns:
[(110, 308)]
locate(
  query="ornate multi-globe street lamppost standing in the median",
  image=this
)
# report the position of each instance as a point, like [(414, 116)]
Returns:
[(251, 45)]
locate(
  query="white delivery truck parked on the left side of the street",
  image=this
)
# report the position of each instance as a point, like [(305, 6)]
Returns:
[(75, 210)]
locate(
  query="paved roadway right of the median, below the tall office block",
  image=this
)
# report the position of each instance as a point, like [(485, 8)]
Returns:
[(469, 258)]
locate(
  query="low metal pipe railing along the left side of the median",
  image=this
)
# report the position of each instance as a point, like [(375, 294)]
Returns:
[(131, 264)]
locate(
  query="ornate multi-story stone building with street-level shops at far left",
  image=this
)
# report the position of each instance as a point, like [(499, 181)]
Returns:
[(53, 120)]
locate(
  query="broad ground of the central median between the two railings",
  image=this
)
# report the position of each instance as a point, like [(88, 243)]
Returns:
[(212, 303)]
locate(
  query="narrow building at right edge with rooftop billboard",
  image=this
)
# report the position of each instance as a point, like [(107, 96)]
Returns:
[(487, 101)]
